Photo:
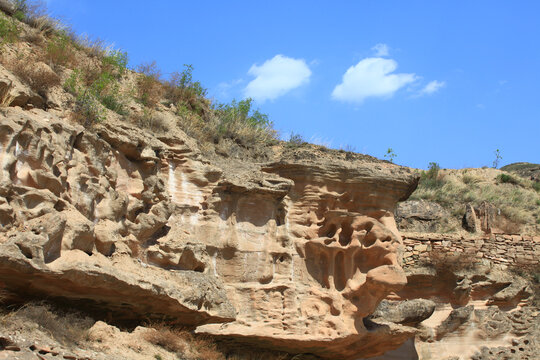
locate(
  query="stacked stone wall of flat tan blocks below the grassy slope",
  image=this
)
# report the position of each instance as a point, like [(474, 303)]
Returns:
[(496, 248)]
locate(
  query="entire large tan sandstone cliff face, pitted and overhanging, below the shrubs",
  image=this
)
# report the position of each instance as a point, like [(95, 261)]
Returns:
[(292, 254)]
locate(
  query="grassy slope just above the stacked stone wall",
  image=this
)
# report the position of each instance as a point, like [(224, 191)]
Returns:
[(514, 197)]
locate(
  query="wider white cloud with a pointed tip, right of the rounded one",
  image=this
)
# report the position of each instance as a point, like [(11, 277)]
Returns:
[(371, 77)]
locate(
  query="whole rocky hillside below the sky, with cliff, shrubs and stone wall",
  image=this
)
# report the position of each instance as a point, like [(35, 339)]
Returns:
[(139, 219)]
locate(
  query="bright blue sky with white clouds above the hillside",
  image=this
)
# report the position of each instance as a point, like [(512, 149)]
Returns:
[(442, 81)]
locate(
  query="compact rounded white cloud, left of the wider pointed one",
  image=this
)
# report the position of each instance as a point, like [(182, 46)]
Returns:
[(276, 77)]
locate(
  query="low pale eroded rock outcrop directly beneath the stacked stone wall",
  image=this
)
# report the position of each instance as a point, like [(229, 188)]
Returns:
[(483, 312)]
